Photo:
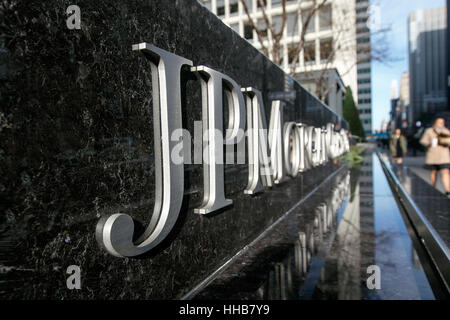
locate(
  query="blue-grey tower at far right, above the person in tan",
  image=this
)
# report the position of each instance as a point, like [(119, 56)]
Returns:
[(427, 62)]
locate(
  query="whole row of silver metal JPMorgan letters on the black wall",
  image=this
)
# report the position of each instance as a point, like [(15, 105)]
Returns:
[(275, 153)]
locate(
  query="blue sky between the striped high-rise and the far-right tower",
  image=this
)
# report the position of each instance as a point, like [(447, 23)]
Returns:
[(394, 14)]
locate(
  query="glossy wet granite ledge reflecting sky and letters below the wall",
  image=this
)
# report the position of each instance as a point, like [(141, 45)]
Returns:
[(323, 249)]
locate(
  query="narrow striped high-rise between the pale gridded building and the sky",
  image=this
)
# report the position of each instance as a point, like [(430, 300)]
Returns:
[(363, 64)]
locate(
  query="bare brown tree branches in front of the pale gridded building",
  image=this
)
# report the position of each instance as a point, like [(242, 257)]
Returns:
[(340, 42)]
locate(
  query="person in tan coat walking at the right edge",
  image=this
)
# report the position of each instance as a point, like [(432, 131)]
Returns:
[(436, 139)]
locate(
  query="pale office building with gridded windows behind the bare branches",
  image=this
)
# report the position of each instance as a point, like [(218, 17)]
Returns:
[(332, 32)]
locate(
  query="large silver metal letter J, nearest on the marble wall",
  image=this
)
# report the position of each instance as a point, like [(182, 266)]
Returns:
[(116, 232)]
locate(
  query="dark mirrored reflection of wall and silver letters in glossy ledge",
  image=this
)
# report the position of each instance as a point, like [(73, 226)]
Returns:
[(277, 266)]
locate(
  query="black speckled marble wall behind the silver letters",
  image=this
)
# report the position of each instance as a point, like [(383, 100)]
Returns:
[(76, 144)]
